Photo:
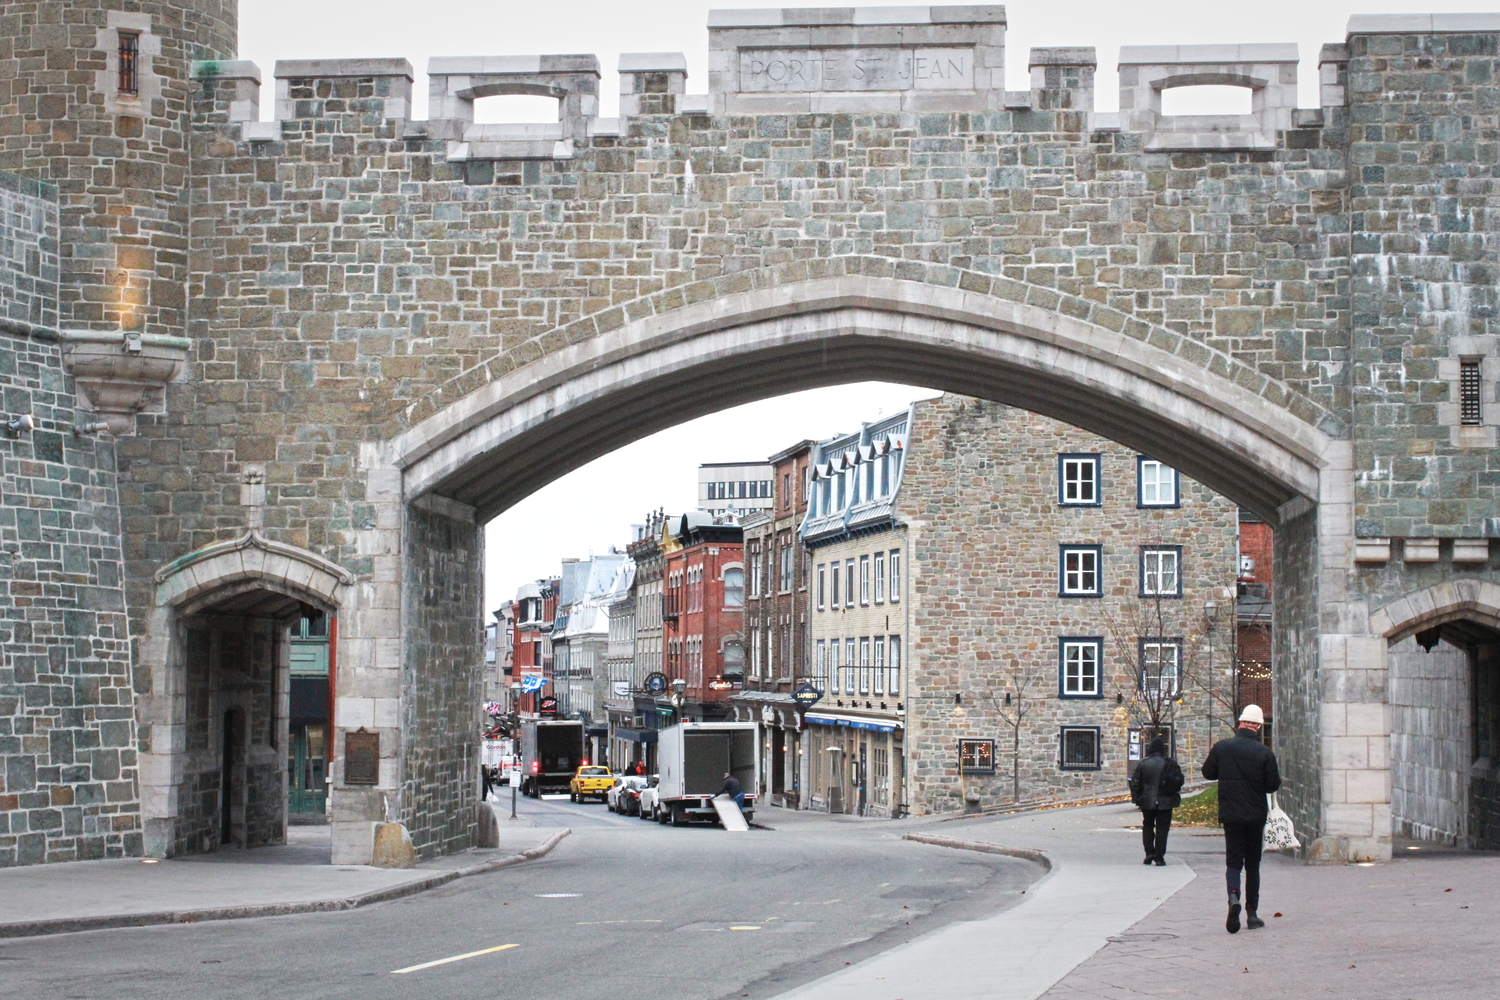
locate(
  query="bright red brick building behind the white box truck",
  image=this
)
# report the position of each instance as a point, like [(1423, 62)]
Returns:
[(703, 612)]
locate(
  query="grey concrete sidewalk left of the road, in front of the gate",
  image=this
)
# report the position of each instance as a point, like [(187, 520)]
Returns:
[(295, 878)]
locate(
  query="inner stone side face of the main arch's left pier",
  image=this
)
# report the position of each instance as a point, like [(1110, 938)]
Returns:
[(443, 645)]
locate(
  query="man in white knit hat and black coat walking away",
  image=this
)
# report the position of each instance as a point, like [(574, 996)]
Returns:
[(1247, 774)]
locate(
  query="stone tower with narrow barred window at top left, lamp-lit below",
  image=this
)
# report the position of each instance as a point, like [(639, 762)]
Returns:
[(101, 92)]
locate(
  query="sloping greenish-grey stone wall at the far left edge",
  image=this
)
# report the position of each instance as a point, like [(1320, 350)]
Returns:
[(67, 714)]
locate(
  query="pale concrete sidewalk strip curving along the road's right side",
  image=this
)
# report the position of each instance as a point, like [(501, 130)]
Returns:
[(1096, 890)]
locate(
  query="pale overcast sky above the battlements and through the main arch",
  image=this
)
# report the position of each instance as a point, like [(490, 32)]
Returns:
[(595, 507)]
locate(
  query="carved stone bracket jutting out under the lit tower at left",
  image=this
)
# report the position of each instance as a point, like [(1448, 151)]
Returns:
[(121, 374)]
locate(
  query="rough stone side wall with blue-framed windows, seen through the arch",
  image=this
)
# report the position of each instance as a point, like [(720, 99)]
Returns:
[(980, 497)]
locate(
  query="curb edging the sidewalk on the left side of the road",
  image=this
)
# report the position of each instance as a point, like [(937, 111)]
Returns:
[(112, 921)]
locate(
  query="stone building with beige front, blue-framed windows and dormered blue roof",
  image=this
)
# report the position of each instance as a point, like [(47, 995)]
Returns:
[(991, 576)]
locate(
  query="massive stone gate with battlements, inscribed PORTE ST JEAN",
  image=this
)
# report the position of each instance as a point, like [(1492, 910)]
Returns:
[(298, 364)]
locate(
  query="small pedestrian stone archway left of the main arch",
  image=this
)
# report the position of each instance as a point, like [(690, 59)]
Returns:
[(215, 720)]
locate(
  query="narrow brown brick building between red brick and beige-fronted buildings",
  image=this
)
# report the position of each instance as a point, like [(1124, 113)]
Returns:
[(776, 626)]
